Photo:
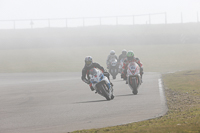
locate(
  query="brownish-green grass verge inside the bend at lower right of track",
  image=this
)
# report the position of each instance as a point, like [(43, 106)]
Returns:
[(182, 91)]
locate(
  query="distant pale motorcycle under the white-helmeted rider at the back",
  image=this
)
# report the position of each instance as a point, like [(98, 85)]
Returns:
[(113, 69)]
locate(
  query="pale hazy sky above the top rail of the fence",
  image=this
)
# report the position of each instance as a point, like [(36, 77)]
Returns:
[(42, 9)]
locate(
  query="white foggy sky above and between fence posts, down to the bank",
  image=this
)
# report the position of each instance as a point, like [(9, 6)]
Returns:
[(30, 10)]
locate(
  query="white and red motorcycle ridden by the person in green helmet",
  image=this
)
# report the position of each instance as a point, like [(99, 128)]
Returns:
[(133, 77)]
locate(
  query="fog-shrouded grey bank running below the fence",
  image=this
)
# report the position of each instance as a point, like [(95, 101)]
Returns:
[(100, 36)]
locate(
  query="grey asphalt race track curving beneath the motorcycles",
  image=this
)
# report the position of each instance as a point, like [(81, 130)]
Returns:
[(61, 102)]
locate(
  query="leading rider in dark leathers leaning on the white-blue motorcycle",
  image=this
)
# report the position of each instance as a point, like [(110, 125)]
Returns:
[(89, 64)]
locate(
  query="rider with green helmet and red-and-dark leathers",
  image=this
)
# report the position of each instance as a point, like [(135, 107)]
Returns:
[(131, 58)]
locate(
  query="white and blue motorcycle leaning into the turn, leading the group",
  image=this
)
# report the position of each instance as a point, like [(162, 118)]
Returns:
[(101, 83)]
